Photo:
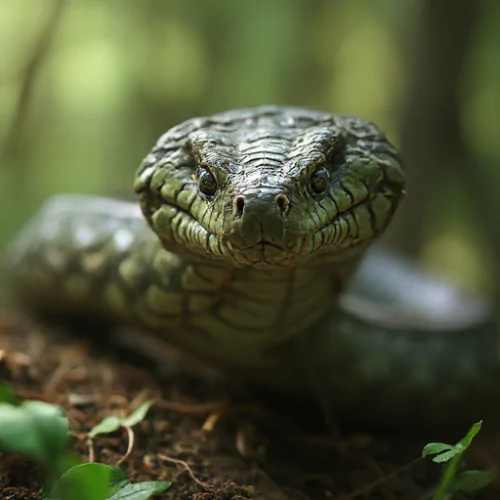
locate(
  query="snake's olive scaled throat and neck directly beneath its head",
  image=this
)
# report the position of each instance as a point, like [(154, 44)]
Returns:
[(243, 314)]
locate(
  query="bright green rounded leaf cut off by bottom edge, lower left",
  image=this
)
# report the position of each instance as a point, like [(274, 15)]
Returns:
[(93, 481)]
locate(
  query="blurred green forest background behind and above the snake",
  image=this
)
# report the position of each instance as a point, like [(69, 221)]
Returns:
[(86, 87)]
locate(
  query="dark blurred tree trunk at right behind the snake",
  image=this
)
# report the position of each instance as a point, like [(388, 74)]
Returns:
[(439, 160)]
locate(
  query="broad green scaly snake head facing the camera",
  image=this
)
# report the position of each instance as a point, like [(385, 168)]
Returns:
[(270, 186)]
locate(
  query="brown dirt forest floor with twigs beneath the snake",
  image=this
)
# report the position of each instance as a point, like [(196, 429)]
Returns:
[(212, 442)]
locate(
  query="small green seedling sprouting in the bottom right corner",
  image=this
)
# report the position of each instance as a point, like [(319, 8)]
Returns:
[(451, 480)]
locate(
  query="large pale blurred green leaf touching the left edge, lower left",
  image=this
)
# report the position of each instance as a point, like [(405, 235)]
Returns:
[(35, 429)]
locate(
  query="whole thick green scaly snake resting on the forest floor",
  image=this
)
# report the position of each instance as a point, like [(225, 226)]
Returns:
[(254, 246)]
